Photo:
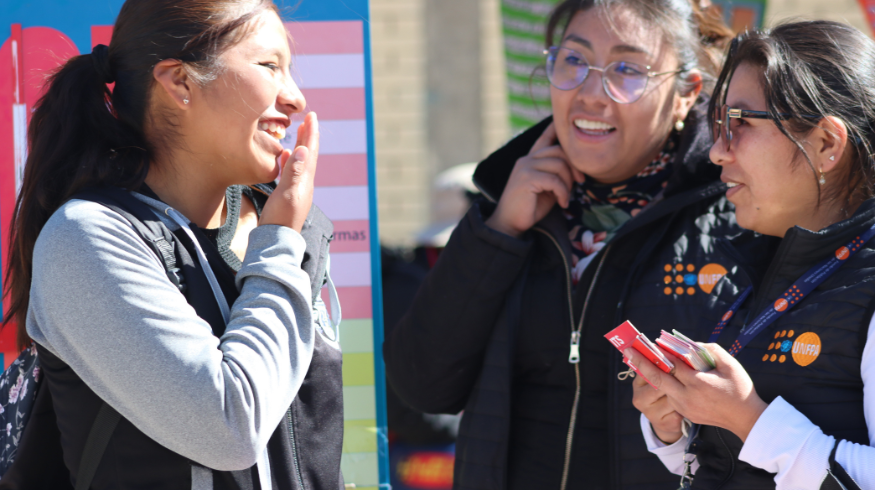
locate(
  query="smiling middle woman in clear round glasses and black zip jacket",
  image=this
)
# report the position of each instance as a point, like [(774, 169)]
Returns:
[(602, 213)]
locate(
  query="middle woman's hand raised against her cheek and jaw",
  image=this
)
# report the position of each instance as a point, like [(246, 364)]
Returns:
[(538, 181)]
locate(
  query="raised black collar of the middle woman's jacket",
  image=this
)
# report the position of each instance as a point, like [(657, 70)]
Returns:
[(692, 167)]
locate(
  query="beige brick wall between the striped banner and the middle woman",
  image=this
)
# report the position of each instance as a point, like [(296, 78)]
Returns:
[(406, 160)]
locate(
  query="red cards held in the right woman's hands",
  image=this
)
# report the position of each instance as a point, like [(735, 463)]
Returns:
[(691, 353)]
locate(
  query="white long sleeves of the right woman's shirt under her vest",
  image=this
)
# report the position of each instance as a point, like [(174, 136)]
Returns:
[(785, 442)]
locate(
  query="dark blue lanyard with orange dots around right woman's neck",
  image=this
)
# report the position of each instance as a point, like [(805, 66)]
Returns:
[(793, 295)]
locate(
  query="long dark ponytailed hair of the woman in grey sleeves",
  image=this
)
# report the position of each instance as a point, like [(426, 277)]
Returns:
[(81, 134)]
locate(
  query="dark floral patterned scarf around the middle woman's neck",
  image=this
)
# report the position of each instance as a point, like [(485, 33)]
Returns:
[(595, 211)]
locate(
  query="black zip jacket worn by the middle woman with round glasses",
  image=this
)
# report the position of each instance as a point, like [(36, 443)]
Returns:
[(490, 329)]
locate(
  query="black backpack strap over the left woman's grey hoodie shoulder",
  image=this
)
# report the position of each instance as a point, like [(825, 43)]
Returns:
[(145, 223)]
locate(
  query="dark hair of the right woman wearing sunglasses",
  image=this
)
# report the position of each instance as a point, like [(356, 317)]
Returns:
[(815, 68)]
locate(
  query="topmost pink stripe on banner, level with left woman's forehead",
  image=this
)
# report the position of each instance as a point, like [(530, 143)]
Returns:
[(326, 37)]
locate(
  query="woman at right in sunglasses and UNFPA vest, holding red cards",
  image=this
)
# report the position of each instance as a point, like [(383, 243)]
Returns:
[(791, 400)]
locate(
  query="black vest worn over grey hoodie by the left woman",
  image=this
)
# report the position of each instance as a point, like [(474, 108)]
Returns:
[(314, 421)]
